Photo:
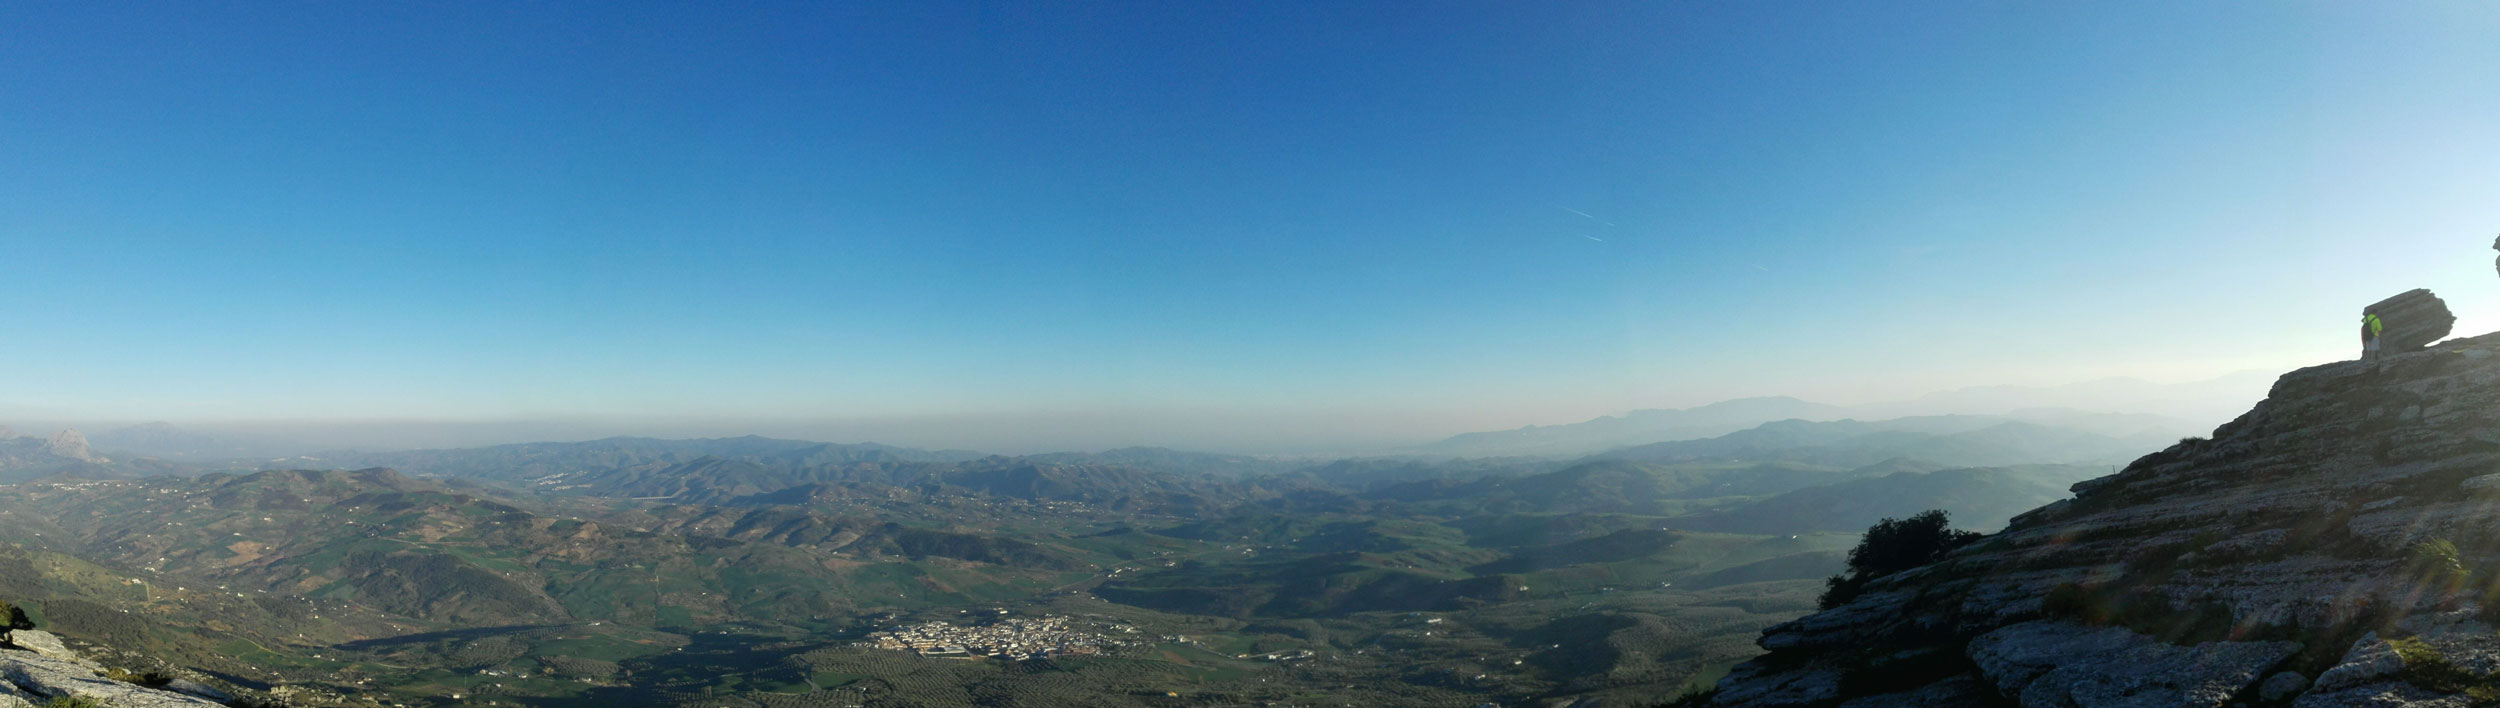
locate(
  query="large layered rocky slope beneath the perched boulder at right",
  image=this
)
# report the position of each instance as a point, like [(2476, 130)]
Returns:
[(2334, 547)]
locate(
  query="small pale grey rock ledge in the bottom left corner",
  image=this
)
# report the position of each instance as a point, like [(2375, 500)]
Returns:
[(36, 669)]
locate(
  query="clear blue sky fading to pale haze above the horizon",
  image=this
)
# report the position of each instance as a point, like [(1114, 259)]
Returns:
[(1164, 221)]
